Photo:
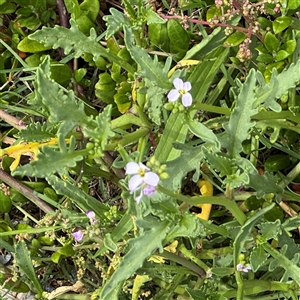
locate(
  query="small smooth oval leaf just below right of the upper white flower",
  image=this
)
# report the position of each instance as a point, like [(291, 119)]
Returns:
[(203, 133)]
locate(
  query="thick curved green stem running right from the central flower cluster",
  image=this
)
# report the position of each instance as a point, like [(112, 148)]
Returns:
[(229, 204)]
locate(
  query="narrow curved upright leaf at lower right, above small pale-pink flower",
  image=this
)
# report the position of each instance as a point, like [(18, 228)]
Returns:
[(245, 232)]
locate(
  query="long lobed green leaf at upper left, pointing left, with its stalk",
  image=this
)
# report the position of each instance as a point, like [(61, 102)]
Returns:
[(74, 40)]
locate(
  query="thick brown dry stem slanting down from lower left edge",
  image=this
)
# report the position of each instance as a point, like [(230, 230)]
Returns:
[(25, 191)]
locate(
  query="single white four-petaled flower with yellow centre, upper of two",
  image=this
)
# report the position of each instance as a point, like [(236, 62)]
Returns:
[(181, 89)]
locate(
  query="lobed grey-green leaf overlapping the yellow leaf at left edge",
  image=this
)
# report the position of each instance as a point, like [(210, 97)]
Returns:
[(51, 161)]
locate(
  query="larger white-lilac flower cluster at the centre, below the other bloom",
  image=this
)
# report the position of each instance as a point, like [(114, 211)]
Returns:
[(143, 179)]
